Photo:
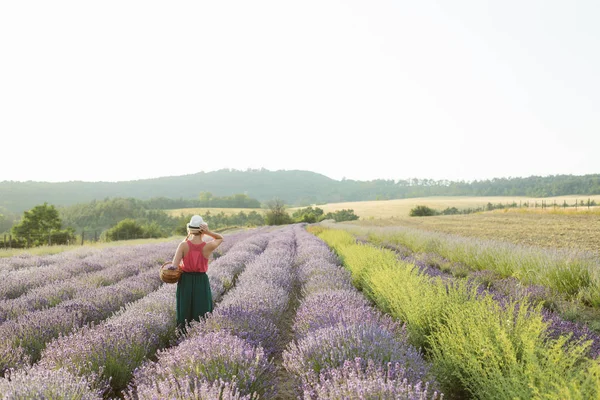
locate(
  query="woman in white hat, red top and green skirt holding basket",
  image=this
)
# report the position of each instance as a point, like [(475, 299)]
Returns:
[(194, 298)]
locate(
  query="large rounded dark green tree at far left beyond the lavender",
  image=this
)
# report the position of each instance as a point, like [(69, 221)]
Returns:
[(42, 225)]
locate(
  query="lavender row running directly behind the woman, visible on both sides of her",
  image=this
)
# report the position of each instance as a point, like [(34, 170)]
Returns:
[(107, 354)]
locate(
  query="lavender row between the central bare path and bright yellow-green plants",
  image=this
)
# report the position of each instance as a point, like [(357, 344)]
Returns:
[(344, 348)]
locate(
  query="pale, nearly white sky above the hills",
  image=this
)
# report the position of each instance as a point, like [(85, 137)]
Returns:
[(121, 90)]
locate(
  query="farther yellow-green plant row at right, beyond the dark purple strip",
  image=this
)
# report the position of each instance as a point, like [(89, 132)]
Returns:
[(573, 274)]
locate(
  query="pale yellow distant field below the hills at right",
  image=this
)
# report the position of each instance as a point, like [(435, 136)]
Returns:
[(401, 207)]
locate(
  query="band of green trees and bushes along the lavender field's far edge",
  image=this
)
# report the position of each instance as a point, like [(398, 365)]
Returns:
[(122, 219)]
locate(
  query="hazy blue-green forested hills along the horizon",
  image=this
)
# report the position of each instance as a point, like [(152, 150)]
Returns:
[(298, 188)]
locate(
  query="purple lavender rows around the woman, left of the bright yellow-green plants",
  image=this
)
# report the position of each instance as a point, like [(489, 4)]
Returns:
[(287, 323)]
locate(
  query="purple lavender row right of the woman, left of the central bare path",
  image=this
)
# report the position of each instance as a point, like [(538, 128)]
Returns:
[(228, 352)]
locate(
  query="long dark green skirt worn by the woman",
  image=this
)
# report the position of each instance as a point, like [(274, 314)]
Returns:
[(194, 298)]
